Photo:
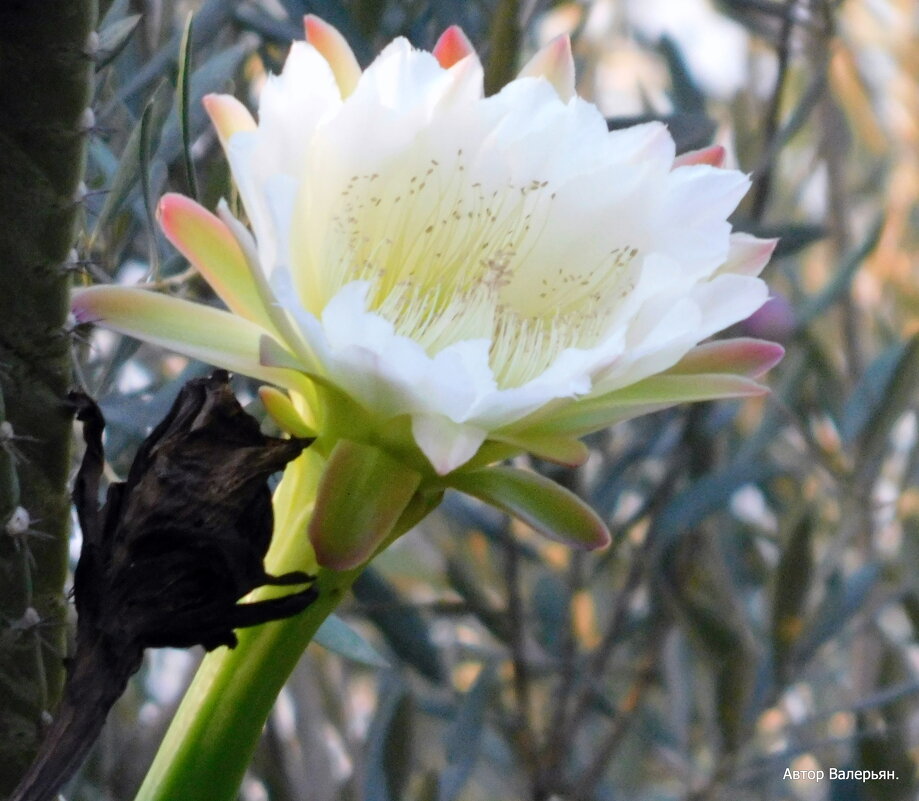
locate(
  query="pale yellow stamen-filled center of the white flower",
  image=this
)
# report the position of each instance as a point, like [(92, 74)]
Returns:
[(453, 256)]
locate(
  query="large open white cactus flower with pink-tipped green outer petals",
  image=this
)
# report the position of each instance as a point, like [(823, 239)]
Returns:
[(452, 278)]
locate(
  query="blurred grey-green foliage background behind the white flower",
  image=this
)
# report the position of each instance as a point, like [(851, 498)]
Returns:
[(759, 608)]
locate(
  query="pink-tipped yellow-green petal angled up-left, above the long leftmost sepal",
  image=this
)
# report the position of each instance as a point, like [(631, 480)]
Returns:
[(209, 245)]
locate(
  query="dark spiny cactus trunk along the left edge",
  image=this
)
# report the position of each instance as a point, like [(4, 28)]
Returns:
[(45, 89)]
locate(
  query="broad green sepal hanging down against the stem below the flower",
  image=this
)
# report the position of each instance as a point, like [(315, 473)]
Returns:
[(362, 494)]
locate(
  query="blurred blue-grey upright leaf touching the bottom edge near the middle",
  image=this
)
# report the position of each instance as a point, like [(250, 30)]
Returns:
[(463, 739)]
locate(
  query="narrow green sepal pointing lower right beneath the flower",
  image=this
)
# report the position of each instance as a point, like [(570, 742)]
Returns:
[(547, 507)]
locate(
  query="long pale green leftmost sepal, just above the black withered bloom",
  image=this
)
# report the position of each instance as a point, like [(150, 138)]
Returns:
[(201, 332)]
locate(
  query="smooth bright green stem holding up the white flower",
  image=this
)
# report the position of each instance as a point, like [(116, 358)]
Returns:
[(215, 732)]
